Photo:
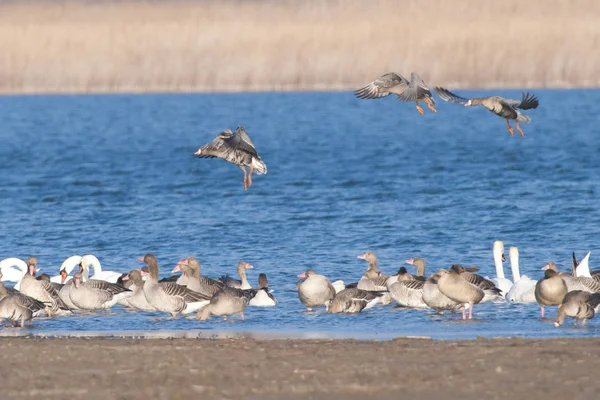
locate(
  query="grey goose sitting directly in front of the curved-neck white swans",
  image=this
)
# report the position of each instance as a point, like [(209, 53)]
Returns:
[(94, 294)]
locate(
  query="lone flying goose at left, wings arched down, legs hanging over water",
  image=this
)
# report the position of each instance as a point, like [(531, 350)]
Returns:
[(236, 148)]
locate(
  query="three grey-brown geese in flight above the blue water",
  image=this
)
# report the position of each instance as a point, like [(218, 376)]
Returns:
[(237, 148)]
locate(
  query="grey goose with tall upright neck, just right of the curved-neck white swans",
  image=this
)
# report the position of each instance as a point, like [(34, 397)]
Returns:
[(170, 297)]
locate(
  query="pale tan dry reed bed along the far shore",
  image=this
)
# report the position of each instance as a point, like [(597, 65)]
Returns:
[(131, 46)]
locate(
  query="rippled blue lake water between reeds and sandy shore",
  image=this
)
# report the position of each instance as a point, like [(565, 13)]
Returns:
[(114, 176)]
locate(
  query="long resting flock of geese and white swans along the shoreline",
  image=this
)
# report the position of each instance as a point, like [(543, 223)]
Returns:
[(576, 293)]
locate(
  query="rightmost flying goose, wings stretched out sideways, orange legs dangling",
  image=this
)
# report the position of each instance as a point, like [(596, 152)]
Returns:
[(505, 108)]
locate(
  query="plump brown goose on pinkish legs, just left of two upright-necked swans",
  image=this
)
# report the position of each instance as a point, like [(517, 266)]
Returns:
[(458, 286)]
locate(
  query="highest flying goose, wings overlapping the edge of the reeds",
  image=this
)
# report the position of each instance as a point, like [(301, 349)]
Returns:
[(393, 83)]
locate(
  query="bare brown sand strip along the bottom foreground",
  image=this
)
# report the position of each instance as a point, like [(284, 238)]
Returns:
[(299, 369)]
